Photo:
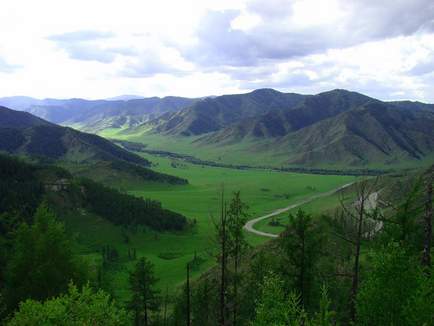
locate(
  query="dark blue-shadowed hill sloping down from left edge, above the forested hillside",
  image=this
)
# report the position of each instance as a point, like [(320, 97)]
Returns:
[(20, 132)]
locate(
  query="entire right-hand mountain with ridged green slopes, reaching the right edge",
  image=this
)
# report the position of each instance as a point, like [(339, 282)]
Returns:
[(336, 128)]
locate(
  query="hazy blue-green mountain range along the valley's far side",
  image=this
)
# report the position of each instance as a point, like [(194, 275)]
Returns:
[(331, 128)]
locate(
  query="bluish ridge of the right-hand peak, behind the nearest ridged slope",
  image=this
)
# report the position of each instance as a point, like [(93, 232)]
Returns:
[(278, 123)]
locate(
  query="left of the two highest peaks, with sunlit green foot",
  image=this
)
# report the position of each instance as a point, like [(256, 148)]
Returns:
[(212, 114)]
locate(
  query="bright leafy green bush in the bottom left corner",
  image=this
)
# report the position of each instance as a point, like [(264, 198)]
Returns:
[(73, 308)]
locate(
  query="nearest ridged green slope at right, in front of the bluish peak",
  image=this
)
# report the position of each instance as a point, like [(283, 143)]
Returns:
[(373, 133)]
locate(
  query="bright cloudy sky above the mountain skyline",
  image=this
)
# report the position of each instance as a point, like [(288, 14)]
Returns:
[(99, 49)]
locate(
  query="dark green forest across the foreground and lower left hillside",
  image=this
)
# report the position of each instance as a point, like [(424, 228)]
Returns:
[(361, 264)]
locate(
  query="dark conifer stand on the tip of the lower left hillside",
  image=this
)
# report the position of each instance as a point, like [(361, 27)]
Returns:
[(123, 209)]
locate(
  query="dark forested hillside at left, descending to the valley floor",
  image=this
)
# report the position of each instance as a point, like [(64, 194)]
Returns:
[(29, 193)]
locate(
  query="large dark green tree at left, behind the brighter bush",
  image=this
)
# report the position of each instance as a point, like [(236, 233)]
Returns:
[(44, 261)]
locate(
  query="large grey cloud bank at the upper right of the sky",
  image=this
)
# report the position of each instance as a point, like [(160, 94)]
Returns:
[(277, 38)]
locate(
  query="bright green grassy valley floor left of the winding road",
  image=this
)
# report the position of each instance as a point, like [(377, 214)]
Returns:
[(262, 190)]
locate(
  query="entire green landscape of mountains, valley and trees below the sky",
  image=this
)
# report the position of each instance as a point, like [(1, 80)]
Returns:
[(154, 217)]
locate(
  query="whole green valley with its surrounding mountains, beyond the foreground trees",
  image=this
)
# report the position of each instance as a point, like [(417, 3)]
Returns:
[(290, 157)]
